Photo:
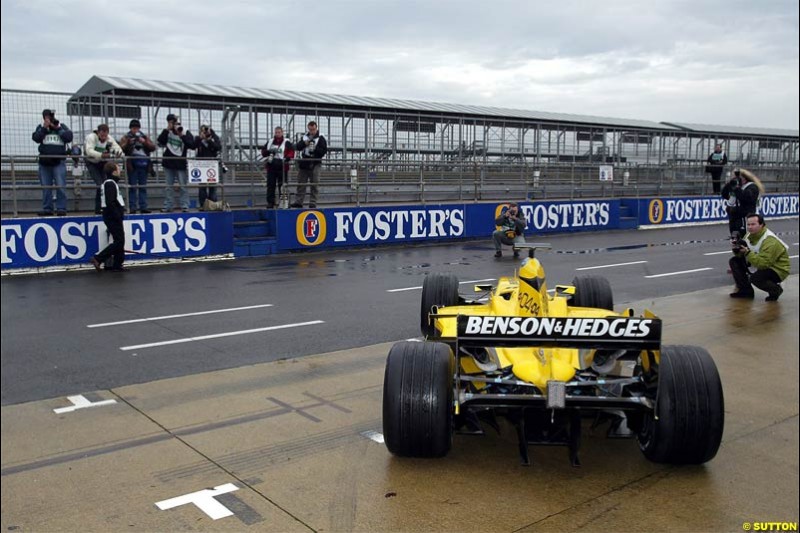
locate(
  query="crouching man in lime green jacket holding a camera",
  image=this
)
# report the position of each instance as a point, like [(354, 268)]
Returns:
[(768, 256)]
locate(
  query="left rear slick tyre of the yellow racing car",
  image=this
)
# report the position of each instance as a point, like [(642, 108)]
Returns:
[(418, 399)]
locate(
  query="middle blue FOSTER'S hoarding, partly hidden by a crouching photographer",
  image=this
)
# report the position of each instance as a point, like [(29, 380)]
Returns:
[(298, 229)]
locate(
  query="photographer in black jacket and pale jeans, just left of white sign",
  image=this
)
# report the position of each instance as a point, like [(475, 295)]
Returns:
[(175, 141)]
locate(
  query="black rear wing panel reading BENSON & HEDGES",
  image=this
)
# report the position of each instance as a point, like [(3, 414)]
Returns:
[(616, 333)]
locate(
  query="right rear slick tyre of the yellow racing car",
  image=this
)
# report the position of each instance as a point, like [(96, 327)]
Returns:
[(690, 409)]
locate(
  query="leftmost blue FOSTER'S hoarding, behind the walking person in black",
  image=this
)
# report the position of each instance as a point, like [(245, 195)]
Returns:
[(42, 242)]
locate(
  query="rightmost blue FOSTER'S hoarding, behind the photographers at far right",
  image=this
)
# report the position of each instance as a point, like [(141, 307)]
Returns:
[(687, 210)]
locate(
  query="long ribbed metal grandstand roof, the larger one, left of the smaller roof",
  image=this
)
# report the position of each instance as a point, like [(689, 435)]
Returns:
[(140, 87)]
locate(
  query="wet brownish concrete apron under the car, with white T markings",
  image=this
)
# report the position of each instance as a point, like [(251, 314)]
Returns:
[(293, 445)]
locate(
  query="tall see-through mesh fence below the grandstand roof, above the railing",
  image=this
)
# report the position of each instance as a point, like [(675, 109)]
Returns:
[(392, 136)]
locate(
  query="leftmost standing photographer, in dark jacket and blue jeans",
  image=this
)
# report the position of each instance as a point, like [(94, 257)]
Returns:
[(52, 137)]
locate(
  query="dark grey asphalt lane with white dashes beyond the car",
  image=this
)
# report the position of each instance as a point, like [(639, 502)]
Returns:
[(48, 350)]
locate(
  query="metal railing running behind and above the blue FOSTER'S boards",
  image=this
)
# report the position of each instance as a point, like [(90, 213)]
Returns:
[(366, 182)]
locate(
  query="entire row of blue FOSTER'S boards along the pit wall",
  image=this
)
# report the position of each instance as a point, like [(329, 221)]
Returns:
[(34, 243)]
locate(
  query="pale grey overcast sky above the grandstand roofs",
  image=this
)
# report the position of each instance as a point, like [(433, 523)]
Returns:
[(717, 62)]
